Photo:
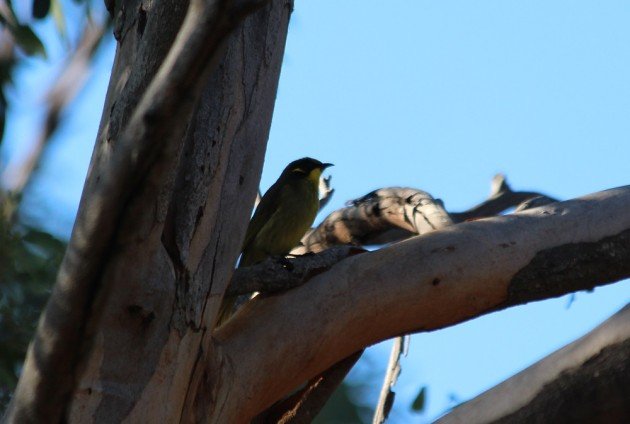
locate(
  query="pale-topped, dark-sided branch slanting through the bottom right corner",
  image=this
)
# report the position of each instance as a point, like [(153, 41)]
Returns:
[(588, 380)]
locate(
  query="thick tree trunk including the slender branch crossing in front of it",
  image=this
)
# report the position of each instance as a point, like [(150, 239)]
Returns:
[(172, 179)]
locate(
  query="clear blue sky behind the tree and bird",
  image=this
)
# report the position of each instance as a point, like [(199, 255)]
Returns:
[(434, 95)]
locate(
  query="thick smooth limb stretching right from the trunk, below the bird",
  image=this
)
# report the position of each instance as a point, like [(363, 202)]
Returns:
[(429, 282)]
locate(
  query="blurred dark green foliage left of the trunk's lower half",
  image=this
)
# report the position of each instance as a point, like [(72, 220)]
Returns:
[(29, 259)]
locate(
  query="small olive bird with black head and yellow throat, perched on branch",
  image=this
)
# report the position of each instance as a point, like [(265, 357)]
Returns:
[(285, 212)]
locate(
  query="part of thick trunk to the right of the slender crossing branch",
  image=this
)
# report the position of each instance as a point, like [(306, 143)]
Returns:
[(156, 331)]
